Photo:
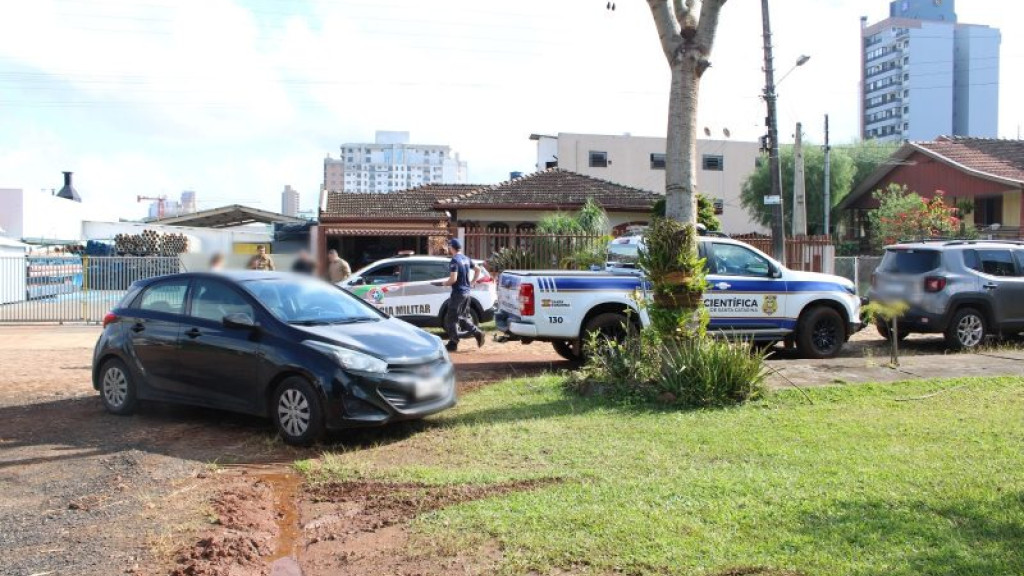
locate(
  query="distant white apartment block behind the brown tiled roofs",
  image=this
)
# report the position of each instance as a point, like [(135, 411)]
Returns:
[(391, 163)]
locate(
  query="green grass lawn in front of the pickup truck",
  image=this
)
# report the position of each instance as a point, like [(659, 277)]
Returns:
[(858, 483)]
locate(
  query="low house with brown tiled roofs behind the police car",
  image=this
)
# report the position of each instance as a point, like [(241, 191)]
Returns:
[(365, 228)]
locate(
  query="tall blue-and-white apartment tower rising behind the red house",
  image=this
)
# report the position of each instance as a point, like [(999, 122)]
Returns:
[(925, 75)]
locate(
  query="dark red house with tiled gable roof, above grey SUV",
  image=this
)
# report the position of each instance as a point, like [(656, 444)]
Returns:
[(987, 173)]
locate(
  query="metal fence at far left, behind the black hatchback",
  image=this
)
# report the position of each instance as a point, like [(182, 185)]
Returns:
[(71, 289)]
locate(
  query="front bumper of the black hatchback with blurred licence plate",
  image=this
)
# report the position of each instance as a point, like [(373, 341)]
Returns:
[(402, 394)]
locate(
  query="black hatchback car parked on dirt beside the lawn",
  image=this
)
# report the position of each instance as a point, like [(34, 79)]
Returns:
[(297, 350)]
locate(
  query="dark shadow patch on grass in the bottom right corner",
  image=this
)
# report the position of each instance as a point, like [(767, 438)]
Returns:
[(962, 538)]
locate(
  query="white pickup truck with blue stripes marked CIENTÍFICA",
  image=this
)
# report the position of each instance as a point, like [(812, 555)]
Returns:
[(751, 297)]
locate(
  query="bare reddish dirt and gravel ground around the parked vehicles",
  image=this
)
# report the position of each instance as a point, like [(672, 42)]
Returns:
[(187, 491)]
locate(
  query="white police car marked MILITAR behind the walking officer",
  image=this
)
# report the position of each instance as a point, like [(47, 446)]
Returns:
[(406, 287)]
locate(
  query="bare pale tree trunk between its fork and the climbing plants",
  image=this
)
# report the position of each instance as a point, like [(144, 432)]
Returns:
[(681, 150)]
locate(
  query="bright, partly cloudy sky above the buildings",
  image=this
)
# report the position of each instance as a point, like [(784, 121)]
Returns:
[(237, 99)]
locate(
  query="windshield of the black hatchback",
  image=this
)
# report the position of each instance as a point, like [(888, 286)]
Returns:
[(311, 302)]
